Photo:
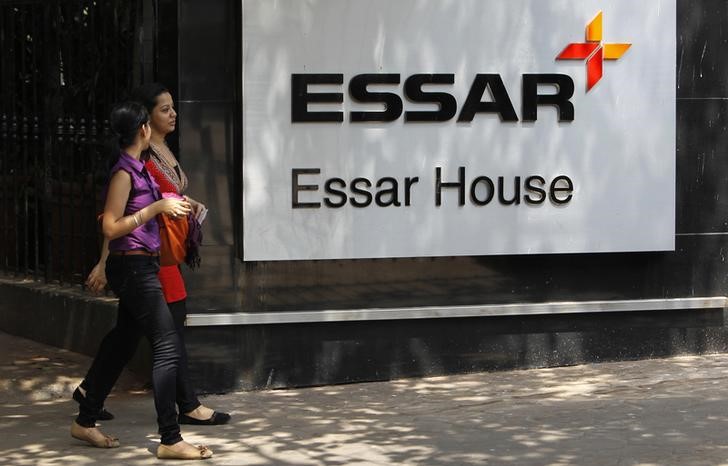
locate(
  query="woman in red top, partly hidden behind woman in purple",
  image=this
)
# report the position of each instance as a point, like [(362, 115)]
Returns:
[(170, 177)]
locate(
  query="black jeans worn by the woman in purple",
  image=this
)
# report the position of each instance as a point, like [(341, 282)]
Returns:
[(142, 309)]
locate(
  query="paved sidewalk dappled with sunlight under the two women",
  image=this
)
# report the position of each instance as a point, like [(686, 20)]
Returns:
[(657, 412)]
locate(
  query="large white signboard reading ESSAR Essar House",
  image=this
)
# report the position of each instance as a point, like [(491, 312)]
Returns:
[(408, 128)]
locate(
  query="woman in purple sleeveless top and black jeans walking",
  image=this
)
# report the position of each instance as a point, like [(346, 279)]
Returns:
[(132, 203)]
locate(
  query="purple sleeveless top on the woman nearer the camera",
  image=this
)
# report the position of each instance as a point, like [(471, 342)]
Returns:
[(144, 191)]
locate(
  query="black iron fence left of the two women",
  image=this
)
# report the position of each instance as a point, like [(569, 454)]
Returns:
[(62, 65)]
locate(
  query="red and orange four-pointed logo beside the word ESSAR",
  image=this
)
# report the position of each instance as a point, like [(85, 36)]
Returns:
[(594, 51)]
